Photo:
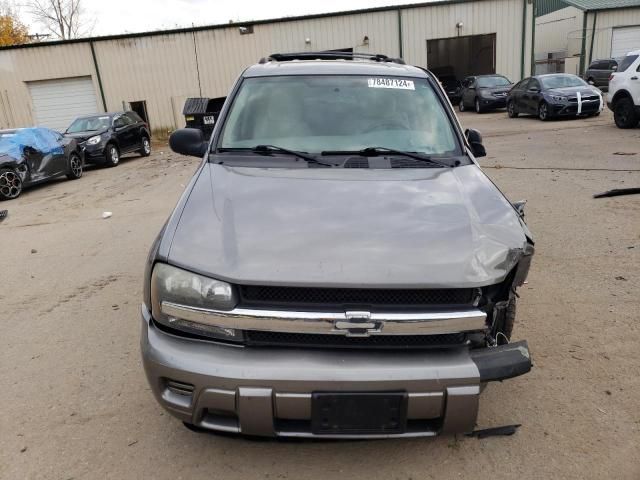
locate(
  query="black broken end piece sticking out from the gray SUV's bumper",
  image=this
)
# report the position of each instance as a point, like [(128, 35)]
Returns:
[(502, 362)]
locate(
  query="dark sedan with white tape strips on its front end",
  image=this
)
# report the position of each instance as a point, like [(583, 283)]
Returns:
[(554, 95)]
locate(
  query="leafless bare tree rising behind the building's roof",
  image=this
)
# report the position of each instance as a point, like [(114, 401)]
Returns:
[(63, 18)]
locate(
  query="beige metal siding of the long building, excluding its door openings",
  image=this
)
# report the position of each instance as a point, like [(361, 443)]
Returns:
[(161, 69)]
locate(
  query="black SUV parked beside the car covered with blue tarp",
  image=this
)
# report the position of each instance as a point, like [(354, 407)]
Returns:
[(104, 138)]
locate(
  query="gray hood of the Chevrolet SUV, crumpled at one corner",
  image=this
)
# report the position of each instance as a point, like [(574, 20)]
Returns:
[(348, 227)]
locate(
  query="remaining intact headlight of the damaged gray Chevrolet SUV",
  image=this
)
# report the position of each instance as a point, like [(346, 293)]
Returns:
[(173, 287)]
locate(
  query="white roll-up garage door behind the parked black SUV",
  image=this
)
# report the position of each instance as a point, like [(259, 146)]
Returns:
[(57, 102)]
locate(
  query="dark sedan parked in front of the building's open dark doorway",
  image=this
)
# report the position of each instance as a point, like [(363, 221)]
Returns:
[(484, 92)]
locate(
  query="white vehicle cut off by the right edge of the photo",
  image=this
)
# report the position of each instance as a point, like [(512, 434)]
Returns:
[(624, 91)]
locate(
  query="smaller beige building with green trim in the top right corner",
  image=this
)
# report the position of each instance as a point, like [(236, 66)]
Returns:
[(585, 30)]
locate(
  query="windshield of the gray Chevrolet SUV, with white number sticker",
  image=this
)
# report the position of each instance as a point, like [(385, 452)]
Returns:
[(347, 113)]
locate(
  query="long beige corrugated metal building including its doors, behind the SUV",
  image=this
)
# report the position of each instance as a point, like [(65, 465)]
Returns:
[(50, 83)]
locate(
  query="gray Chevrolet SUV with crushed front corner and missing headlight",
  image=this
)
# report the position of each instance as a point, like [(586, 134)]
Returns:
[(339, 266)]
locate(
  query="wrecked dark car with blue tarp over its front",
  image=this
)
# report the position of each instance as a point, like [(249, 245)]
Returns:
[(34, 155)]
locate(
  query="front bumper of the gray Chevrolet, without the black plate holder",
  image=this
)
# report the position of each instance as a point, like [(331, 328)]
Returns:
[(268, 391)]
